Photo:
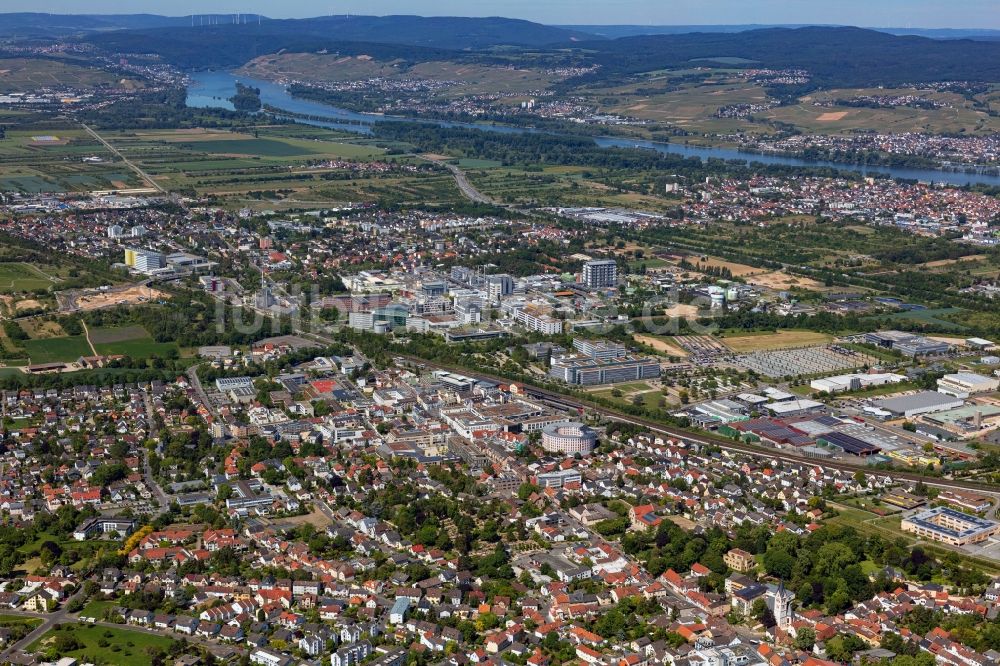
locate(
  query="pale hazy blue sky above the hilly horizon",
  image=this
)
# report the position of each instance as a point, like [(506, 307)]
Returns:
[(876, 13)]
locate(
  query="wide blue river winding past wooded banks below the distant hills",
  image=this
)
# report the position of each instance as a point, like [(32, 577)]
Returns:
[(213, 89)]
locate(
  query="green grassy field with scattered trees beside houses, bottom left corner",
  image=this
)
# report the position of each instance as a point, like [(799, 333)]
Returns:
[(101, 645)]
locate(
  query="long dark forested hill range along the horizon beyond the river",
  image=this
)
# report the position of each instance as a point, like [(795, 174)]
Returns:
[(836, 57)]
